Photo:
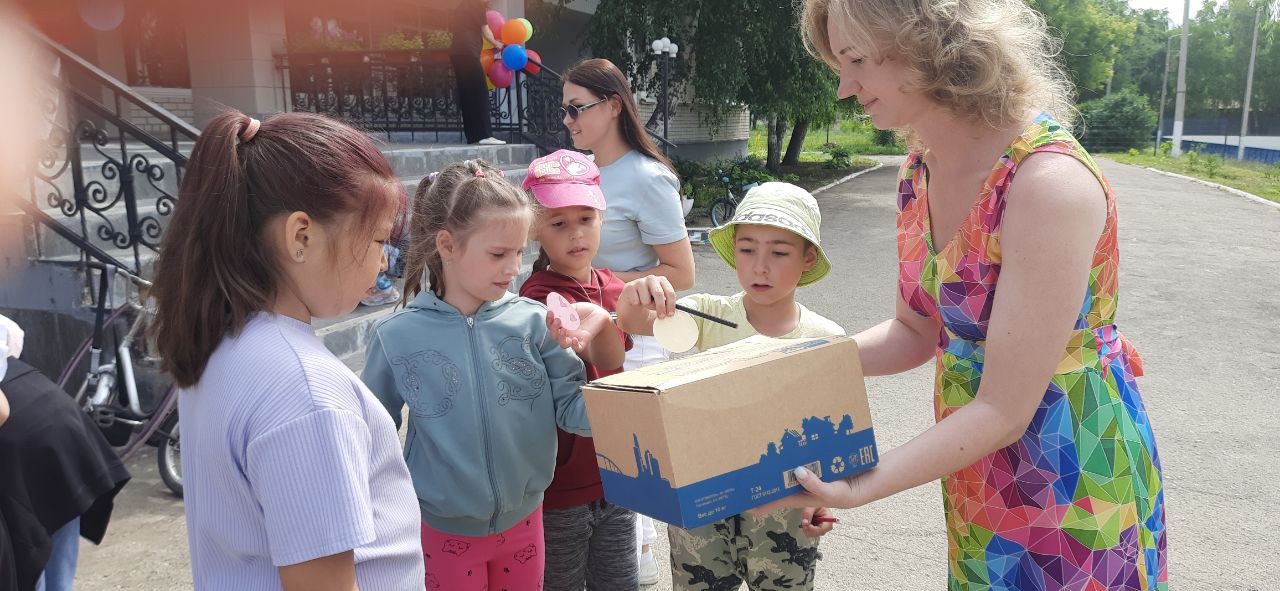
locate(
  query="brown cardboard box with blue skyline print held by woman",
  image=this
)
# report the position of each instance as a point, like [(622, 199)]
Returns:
[(707, 437)]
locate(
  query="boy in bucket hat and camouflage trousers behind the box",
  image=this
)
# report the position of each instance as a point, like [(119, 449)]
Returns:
[(774, 245)]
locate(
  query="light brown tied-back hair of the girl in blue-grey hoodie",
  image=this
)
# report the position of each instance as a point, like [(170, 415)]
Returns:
[(452, 200)]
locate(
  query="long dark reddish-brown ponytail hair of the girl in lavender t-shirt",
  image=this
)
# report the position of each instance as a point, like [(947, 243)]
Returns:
[(216, 268)]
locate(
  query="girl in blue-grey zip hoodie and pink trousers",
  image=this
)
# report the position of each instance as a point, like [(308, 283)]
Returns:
[(487, 379)]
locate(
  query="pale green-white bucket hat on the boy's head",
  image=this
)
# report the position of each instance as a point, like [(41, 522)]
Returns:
[(780, 205)]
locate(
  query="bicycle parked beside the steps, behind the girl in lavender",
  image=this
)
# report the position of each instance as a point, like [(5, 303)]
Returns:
[(109, 392)]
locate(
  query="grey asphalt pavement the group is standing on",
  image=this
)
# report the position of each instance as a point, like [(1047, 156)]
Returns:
[(1201, 300)]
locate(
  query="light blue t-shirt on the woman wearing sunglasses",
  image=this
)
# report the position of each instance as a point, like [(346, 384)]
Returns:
[(643, 209)]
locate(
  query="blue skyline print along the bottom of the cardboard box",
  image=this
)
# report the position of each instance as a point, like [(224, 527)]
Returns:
[(830, 451)]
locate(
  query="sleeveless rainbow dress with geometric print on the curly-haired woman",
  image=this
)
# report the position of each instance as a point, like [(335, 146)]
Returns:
[(1078, 502)]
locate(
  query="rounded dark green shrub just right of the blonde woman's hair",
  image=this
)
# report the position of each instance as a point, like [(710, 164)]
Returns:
[(1117, 122)]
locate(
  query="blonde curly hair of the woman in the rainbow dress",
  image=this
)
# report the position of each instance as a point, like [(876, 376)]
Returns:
[(990, 59)]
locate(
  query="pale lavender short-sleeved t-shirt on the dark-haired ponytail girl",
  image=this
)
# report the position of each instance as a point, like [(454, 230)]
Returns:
[(287, 457)]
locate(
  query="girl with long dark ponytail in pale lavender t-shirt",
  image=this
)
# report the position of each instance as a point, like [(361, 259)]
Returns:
[(294, 474)]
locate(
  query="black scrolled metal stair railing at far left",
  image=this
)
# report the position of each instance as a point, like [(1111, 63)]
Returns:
[(103, 185)]
